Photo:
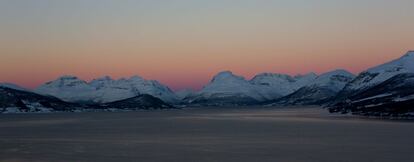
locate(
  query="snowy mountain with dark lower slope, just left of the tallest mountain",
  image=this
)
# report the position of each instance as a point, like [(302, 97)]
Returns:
[(321, 90)]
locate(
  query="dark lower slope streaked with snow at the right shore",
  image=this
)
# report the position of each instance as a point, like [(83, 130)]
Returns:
[(394, 96)]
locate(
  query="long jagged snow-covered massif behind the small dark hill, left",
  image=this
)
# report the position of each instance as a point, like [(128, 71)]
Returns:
[(105, 89)]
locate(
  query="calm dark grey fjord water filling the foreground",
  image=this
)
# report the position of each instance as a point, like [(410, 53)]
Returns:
[(204, 135)]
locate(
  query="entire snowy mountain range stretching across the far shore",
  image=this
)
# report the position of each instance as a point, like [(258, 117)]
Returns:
[(385, 89)]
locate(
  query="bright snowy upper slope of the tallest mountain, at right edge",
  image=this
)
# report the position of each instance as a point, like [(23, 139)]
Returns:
[(381, 73)]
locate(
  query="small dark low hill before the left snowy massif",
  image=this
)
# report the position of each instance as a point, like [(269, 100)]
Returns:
[(143, 101)]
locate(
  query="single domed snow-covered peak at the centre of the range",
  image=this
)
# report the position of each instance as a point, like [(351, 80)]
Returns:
[(227, 89)]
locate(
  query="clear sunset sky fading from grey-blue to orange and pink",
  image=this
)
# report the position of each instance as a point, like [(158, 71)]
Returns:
[(183, 43)]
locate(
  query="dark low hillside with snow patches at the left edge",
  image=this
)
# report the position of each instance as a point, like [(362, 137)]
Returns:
[(14, 100)]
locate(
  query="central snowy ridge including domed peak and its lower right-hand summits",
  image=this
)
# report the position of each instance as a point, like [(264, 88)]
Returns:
[(227, 88)]
